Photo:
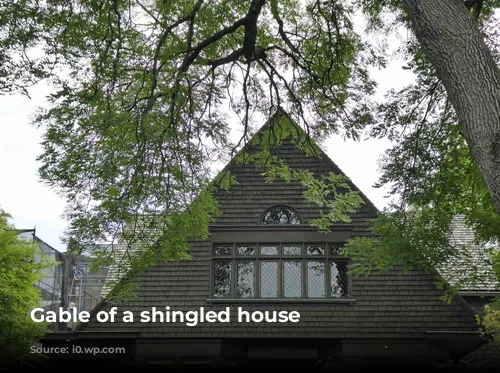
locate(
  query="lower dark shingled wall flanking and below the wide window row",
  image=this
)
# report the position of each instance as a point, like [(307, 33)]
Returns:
[(386, 306)]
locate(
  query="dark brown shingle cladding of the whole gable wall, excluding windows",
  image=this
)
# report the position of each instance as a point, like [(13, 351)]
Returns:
[(388, 305)]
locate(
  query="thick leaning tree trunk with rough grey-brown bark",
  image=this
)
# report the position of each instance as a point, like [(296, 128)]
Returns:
[(451, 41)]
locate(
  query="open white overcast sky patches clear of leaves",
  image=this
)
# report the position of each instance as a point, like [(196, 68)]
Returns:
[(33, 204)]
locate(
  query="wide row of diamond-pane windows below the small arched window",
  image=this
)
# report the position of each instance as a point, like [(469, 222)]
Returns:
[(279, 270)]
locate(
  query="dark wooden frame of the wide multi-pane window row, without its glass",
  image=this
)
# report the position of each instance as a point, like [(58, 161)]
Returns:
[(327, 258)]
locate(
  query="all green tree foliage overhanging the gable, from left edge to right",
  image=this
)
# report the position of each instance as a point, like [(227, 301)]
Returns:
[(138, 116)]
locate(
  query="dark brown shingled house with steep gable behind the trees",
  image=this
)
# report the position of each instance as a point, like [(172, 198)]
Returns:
[(262, 255)]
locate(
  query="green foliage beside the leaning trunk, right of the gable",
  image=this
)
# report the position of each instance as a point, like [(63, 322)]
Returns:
[(432, 178)]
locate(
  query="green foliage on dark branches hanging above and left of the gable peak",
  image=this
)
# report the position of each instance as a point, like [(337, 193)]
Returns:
[(137, 114)]
